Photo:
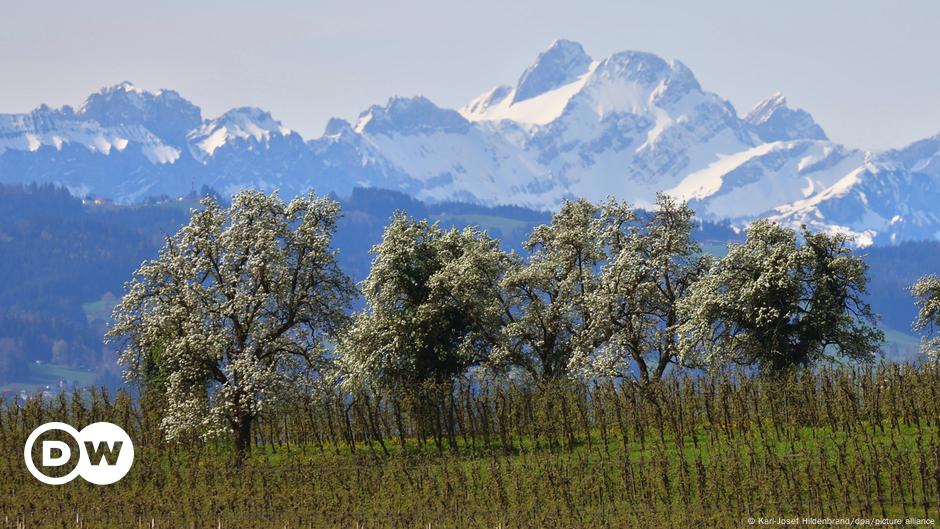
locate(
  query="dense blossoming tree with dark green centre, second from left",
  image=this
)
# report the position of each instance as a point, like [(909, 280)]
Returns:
[(432, 309)]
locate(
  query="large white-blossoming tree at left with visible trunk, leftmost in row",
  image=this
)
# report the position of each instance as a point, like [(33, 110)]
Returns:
[(236, 311)]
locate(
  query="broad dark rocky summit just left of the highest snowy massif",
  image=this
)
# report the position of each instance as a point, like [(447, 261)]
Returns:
[(410, 116)]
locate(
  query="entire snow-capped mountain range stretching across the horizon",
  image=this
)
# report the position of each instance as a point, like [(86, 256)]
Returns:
[(628, 125)]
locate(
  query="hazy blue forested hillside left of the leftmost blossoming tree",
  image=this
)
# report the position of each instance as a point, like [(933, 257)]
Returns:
[(59, 258)]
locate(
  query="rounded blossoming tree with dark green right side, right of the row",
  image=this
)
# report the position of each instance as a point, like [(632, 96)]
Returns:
[(775, 302)]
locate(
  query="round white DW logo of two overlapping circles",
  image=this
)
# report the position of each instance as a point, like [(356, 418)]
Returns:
[(106, 453)]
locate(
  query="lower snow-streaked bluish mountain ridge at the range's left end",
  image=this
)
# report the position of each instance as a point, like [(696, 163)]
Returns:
[(127, 143)]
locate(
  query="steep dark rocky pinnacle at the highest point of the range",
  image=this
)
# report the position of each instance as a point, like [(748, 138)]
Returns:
[(563, 62)]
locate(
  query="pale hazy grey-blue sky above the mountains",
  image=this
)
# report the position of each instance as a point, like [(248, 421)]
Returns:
[(866, 69)]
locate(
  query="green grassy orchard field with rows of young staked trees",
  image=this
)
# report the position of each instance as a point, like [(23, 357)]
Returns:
[(708, 452)]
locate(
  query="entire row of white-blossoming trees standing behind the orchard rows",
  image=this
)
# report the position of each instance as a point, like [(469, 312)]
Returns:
[(242, 307)]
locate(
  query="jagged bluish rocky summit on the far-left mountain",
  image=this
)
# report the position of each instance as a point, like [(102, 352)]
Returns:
[(165, 112)]
